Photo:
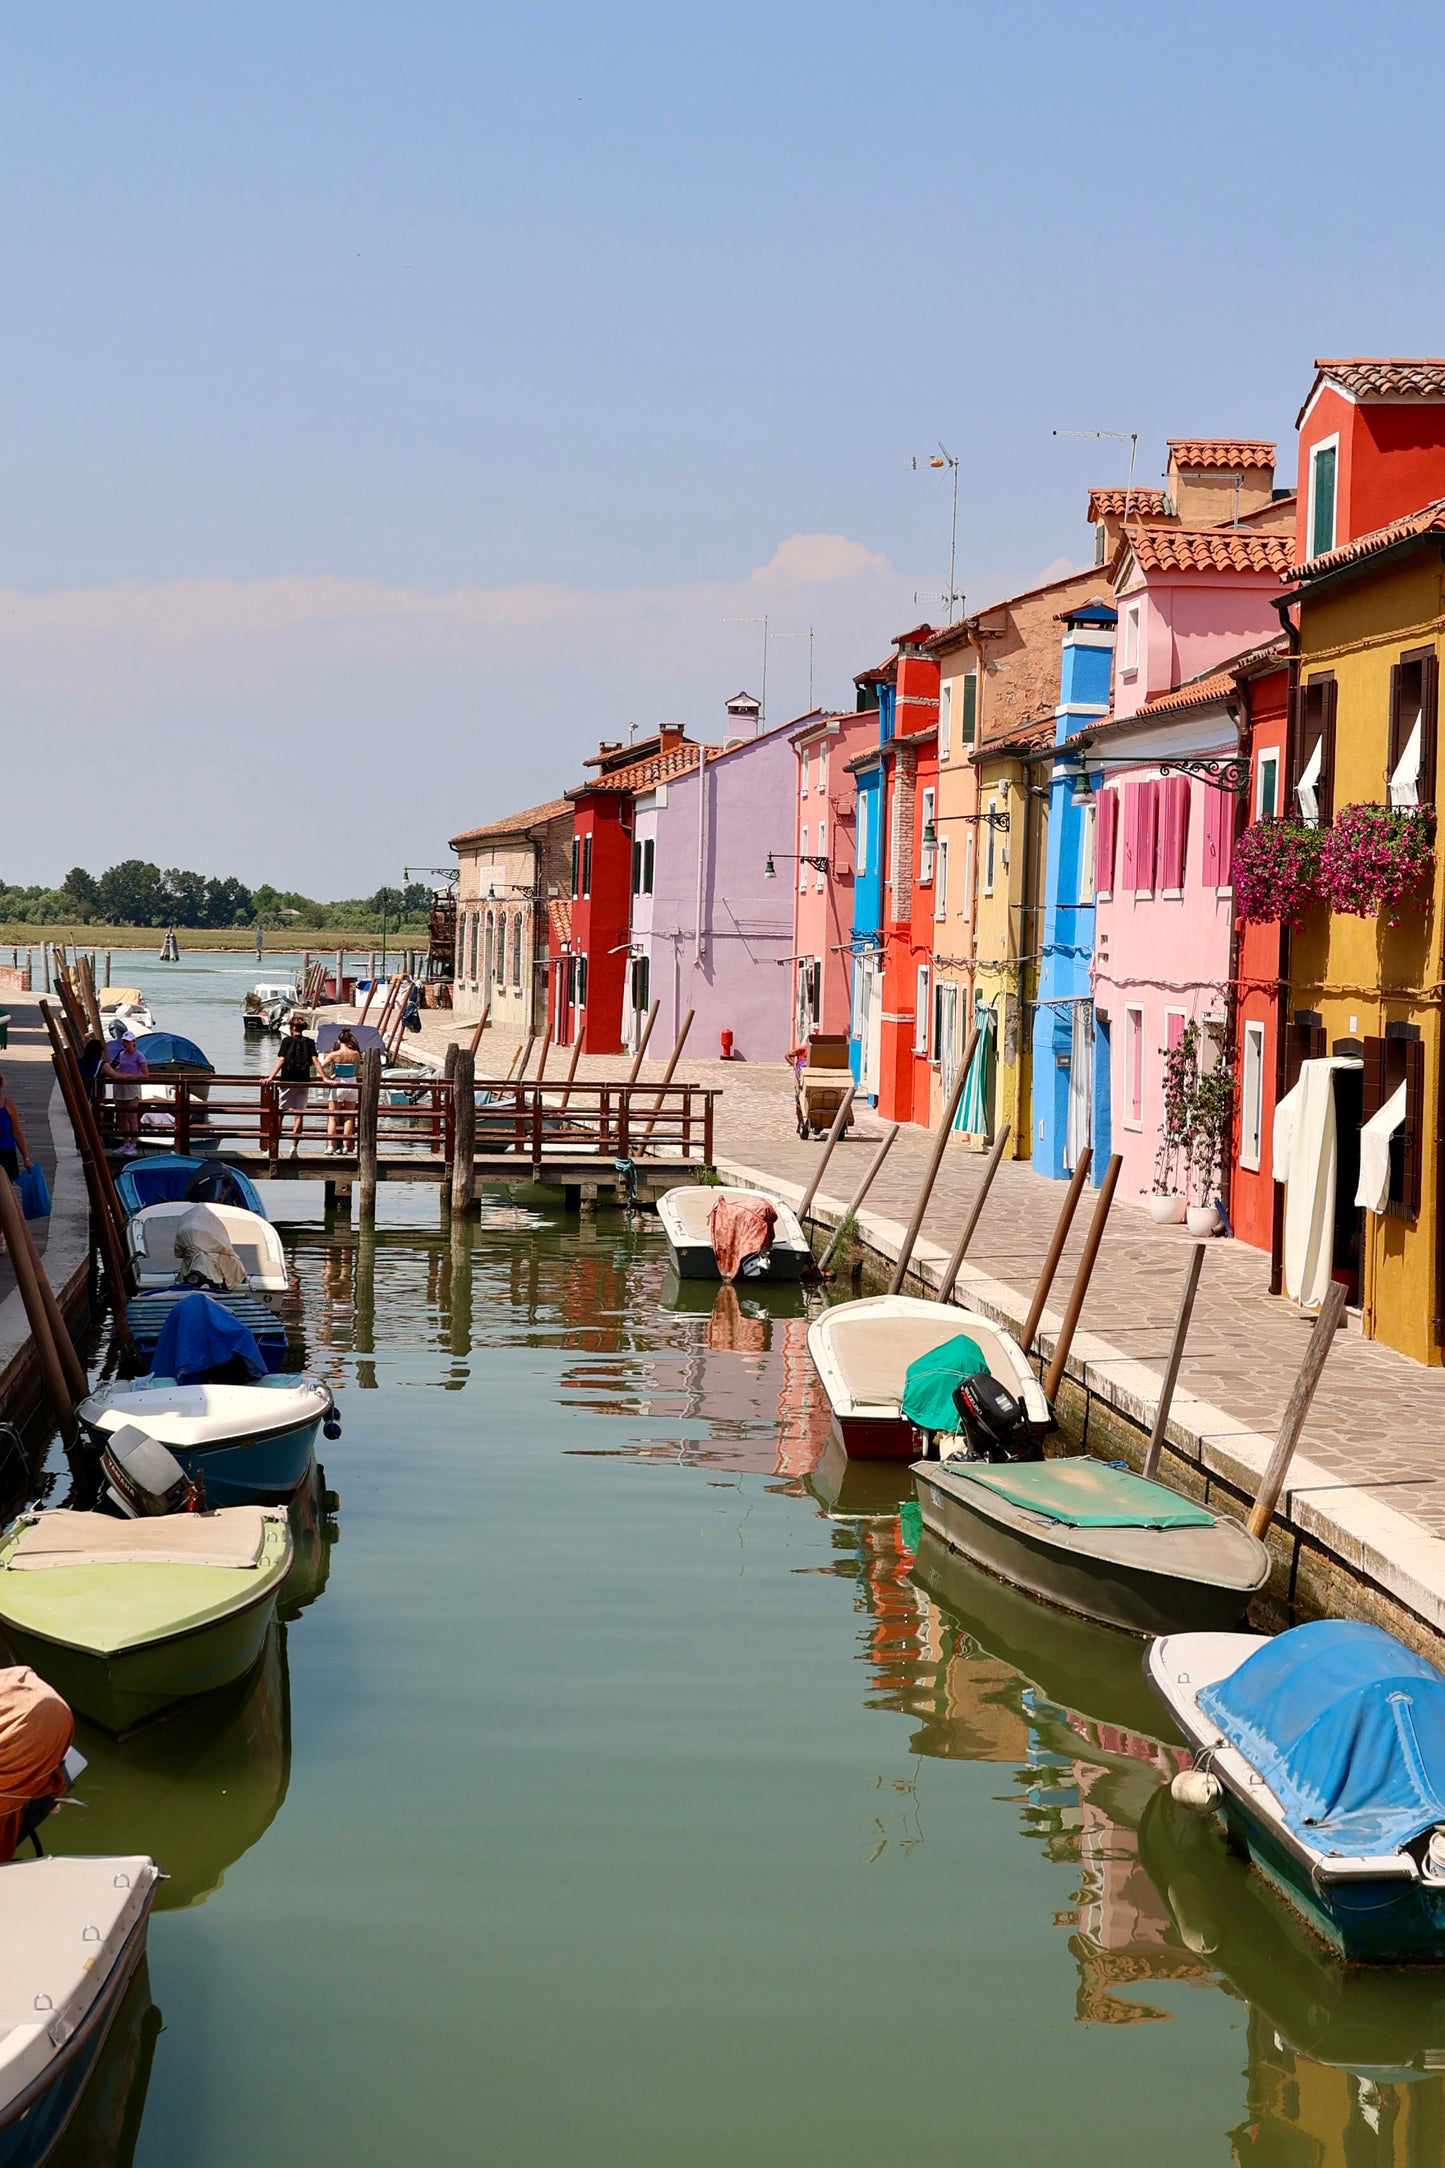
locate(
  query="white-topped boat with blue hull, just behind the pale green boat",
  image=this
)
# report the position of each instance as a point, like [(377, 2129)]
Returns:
[(248, 1445)]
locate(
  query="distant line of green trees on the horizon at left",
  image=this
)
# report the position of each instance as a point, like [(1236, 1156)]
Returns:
[(142, 894)]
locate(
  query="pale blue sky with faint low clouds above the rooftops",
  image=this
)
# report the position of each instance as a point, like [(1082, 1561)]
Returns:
[(404, 398)]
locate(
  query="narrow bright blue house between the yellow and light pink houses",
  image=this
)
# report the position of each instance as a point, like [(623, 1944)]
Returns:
[(1071, 1044)]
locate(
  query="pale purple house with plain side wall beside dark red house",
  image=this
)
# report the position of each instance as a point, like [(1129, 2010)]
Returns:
[(712, 931)]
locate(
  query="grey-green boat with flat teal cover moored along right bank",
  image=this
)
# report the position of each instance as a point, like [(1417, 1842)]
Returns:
[(1095, 1540)]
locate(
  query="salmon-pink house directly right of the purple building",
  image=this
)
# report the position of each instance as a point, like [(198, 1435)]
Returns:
[(824, 894)]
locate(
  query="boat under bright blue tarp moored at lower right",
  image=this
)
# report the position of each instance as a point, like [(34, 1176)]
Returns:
[(1325, 1748)]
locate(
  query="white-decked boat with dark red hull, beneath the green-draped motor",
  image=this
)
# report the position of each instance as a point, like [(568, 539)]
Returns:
[(861, 1354)]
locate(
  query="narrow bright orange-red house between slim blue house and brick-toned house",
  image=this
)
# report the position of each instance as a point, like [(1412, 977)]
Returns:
[(909, 723)]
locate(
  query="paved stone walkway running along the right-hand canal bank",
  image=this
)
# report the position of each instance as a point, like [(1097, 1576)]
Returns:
[(1379, 1421)]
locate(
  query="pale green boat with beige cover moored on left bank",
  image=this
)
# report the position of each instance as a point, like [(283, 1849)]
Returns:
[(129, 1616)]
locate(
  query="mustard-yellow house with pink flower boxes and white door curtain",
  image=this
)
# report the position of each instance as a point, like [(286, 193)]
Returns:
[(1362, 1046)]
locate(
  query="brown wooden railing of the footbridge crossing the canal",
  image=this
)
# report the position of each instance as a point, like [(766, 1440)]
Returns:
[(417, 1120)]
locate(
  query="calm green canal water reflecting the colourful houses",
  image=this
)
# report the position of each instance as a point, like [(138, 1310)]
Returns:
[(621, 1790)]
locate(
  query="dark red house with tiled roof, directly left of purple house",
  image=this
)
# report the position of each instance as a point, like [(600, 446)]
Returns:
[(590, 931)]
